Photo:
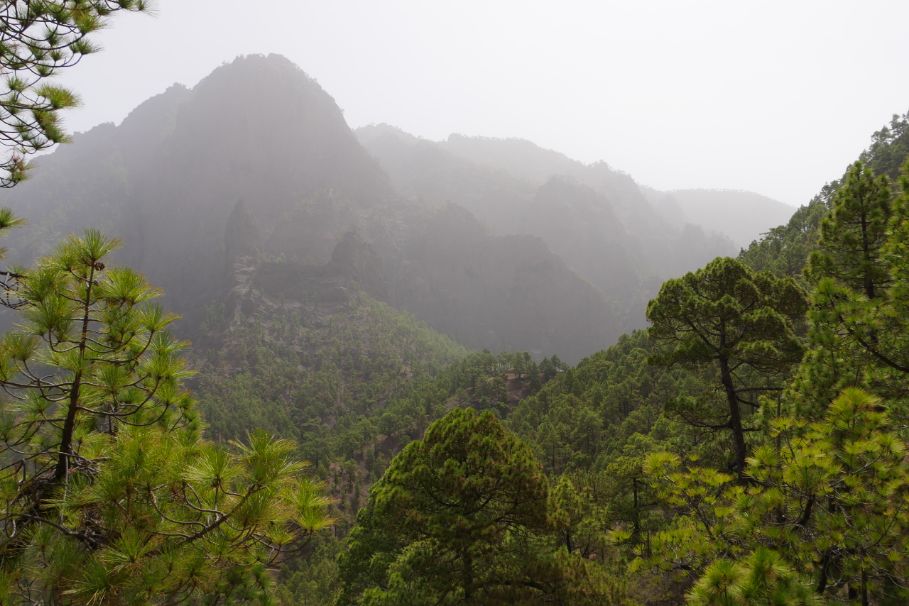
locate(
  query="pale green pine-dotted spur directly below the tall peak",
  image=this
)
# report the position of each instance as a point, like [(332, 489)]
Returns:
[(302, 351)]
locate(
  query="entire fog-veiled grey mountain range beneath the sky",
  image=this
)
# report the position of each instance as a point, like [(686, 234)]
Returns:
[(497, 243)]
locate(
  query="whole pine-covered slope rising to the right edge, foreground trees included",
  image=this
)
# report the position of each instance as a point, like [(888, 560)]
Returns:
[(649, 475)]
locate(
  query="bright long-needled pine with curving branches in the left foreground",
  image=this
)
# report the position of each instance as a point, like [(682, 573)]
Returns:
[(109, 494)]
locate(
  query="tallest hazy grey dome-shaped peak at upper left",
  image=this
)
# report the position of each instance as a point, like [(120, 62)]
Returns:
[(167, 179)]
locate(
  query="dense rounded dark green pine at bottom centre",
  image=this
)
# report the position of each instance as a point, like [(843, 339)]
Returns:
[(462, 517)]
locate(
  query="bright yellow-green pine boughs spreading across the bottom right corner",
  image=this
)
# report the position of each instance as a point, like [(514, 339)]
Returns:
[(828, 497)]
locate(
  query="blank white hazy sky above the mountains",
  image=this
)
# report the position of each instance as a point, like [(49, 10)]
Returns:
[(771, 96)]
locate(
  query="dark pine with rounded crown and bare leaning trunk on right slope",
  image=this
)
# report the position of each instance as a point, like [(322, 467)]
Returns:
[(738, 326)]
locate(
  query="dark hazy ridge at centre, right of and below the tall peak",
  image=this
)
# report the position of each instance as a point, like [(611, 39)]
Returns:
[(505, 293)]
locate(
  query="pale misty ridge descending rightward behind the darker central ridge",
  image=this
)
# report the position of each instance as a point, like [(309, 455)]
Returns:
[(598, 220)]
